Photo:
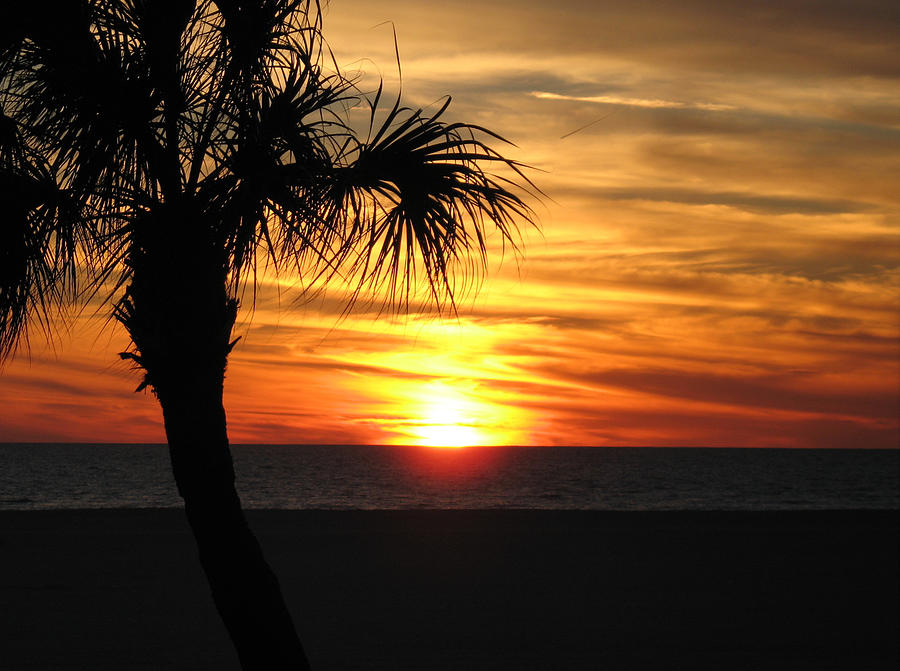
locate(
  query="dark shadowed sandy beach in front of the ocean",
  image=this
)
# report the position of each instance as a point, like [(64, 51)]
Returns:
[(466, 590)]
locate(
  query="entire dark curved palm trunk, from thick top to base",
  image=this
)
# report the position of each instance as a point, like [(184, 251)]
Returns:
[(180, 318)]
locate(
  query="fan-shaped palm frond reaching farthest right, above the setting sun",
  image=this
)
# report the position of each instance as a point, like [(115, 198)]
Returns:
[(420, 198)]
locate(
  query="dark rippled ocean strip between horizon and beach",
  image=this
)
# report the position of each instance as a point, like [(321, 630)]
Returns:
[(37, 476)]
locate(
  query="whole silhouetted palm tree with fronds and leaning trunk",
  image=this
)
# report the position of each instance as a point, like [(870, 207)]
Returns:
[(161, 155)]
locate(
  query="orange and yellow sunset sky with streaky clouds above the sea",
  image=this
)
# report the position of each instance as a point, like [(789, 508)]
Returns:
[(718, 261)]
